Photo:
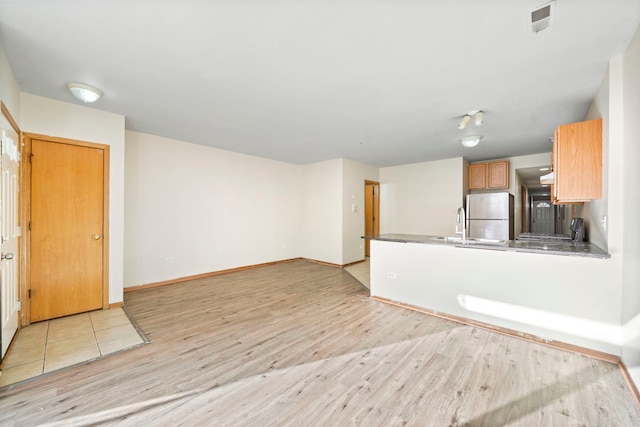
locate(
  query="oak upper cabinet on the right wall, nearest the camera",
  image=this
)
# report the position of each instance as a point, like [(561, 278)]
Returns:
[(577, 162)]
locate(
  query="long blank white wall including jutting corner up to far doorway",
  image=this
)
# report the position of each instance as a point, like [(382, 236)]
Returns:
[(227, 210)]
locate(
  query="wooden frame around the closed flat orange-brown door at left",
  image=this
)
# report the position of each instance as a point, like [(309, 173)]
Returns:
[(26, 209)]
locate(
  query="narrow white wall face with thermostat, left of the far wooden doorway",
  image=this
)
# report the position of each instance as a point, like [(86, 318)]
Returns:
[(354, 175)]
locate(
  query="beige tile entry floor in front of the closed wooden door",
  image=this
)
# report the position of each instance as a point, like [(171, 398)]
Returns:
[(54, 344)]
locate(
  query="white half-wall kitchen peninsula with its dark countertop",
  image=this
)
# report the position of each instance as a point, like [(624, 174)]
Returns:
[(546, 291)]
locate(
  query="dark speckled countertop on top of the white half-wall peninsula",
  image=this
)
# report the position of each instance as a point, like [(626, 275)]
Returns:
[(565, 248)]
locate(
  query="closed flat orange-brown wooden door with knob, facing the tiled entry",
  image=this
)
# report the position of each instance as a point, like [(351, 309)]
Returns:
[(67, 197)]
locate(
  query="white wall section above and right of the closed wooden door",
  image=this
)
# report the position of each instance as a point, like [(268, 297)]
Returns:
[(50, 117)]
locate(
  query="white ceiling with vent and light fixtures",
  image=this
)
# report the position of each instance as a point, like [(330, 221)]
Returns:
[(379, 82)]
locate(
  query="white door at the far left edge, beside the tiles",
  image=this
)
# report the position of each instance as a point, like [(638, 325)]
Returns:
[(10, 233)]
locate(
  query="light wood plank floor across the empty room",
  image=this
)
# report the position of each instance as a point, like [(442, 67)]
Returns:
[(302, 344)]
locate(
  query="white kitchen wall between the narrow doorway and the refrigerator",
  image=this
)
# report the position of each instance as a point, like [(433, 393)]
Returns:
[(421, 198)]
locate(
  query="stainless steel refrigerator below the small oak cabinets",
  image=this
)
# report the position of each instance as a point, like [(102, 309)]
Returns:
[(490, 216)]
